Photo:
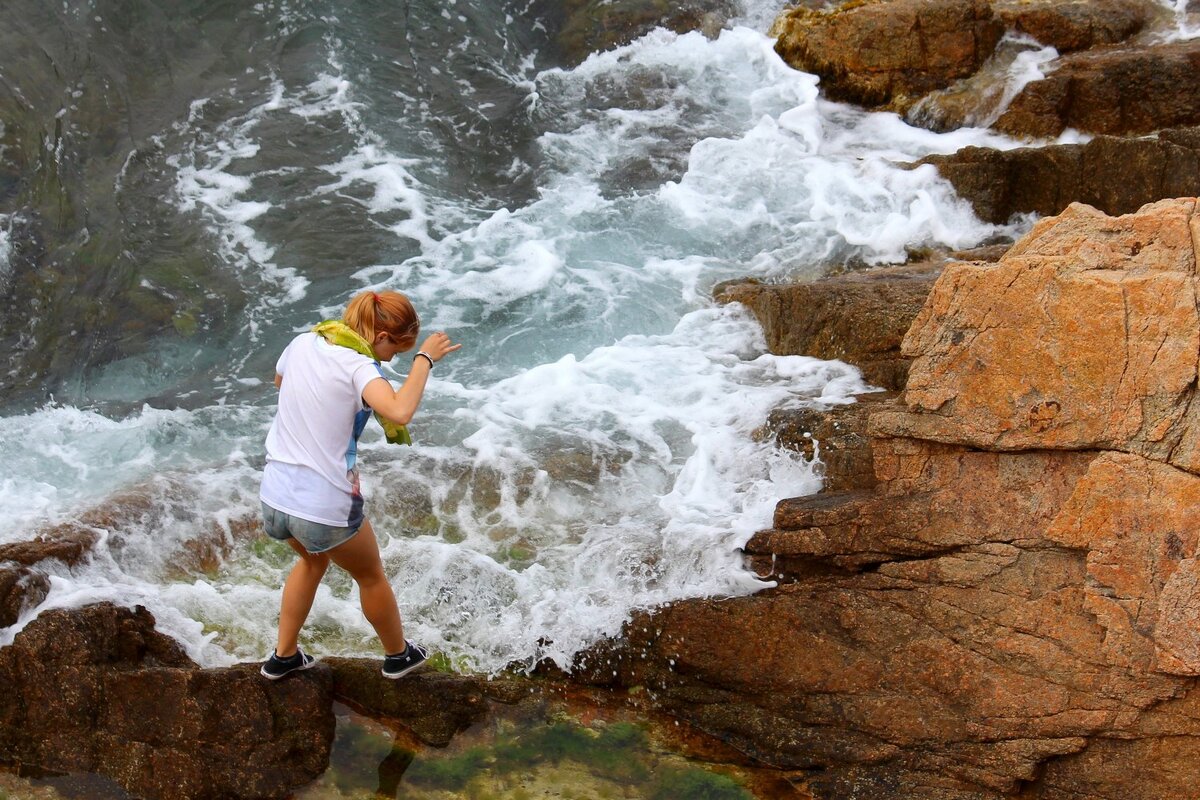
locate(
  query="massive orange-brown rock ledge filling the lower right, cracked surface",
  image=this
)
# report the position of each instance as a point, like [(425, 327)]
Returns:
[(1006, 607)]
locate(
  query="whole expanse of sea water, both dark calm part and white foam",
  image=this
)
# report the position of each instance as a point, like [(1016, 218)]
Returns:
[(226, 176)]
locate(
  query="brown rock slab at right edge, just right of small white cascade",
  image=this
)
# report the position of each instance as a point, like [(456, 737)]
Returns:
[(1124, 92)]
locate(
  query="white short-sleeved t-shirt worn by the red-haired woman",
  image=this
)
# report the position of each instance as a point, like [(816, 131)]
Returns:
[(313, 446)]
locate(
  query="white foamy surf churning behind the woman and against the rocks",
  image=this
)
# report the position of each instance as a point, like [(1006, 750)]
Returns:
[(592, 449)]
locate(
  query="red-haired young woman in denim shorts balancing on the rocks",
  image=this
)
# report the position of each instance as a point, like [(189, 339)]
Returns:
[(329, 383)]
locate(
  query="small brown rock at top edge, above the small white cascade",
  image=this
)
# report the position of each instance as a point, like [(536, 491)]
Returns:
[(1071, 26)]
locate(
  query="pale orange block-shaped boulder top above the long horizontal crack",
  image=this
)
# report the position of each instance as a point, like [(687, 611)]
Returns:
[(1084, 336)]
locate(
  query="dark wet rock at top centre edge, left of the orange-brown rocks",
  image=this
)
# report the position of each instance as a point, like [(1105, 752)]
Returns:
[(595, 26)]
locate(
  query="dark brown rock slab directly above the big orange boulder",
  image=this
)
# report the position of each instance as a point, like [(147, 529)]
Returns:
[(1115, 176)]
